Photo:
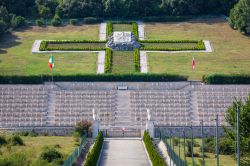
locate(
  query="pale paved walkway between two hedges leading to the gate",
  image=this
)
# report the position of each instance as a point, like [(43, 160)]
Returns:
[(125, 152)]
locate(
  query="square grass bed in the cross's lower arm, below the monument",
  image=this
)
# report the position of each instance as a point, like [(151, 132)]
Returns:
[(123, 62)]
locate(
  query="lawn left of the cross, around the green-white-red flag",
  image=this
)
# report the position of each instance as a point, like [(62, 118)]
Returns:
[(16, 57)]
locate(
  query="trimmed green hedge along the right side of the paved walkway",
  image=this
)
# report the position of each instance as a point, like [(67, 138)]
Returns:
[(156, 159)]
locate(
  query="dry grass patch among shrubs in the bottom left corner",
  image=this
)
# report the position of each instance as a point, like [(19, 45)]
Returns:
[(35, 145)]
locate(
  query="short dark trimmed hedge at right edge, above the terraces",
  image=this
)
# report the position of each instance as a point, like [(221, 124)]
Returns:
[(226, 79)]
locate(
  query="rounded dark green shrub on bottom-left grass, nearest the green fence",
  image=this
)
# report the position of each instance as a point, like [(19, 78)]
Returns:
[(50, 155)]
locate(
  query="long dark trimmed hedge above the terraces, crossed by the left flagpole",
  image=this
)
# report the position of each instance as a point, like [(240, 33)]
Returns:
[(40, 79)]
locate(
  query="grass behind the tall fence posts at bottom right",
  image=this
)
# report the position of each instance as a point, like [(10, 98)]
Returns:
[(225, 160)]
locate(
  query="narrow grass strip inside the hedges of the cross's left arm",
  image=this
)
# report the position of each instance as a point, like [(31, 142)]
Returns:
[(76, 46)]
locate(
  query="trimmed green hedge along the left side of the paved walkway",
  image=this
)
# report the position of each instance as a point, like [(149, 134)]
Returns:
[(93, 155)]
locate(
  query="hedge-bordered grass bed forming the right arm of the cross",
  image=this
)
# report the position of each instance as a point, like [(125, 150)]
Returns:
[(172, 45)]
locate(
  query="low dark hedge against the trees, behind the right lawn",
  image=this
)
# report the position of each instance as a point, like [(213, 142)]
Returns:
[(166, 18)]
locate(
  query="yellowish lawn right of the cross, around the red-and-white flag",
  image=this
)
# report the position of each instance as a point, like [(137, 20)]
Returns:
[(231, 53)]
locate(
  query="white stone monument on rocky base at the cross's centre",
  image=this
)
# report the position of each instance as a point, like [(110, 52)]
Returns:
[(122, 41)]
